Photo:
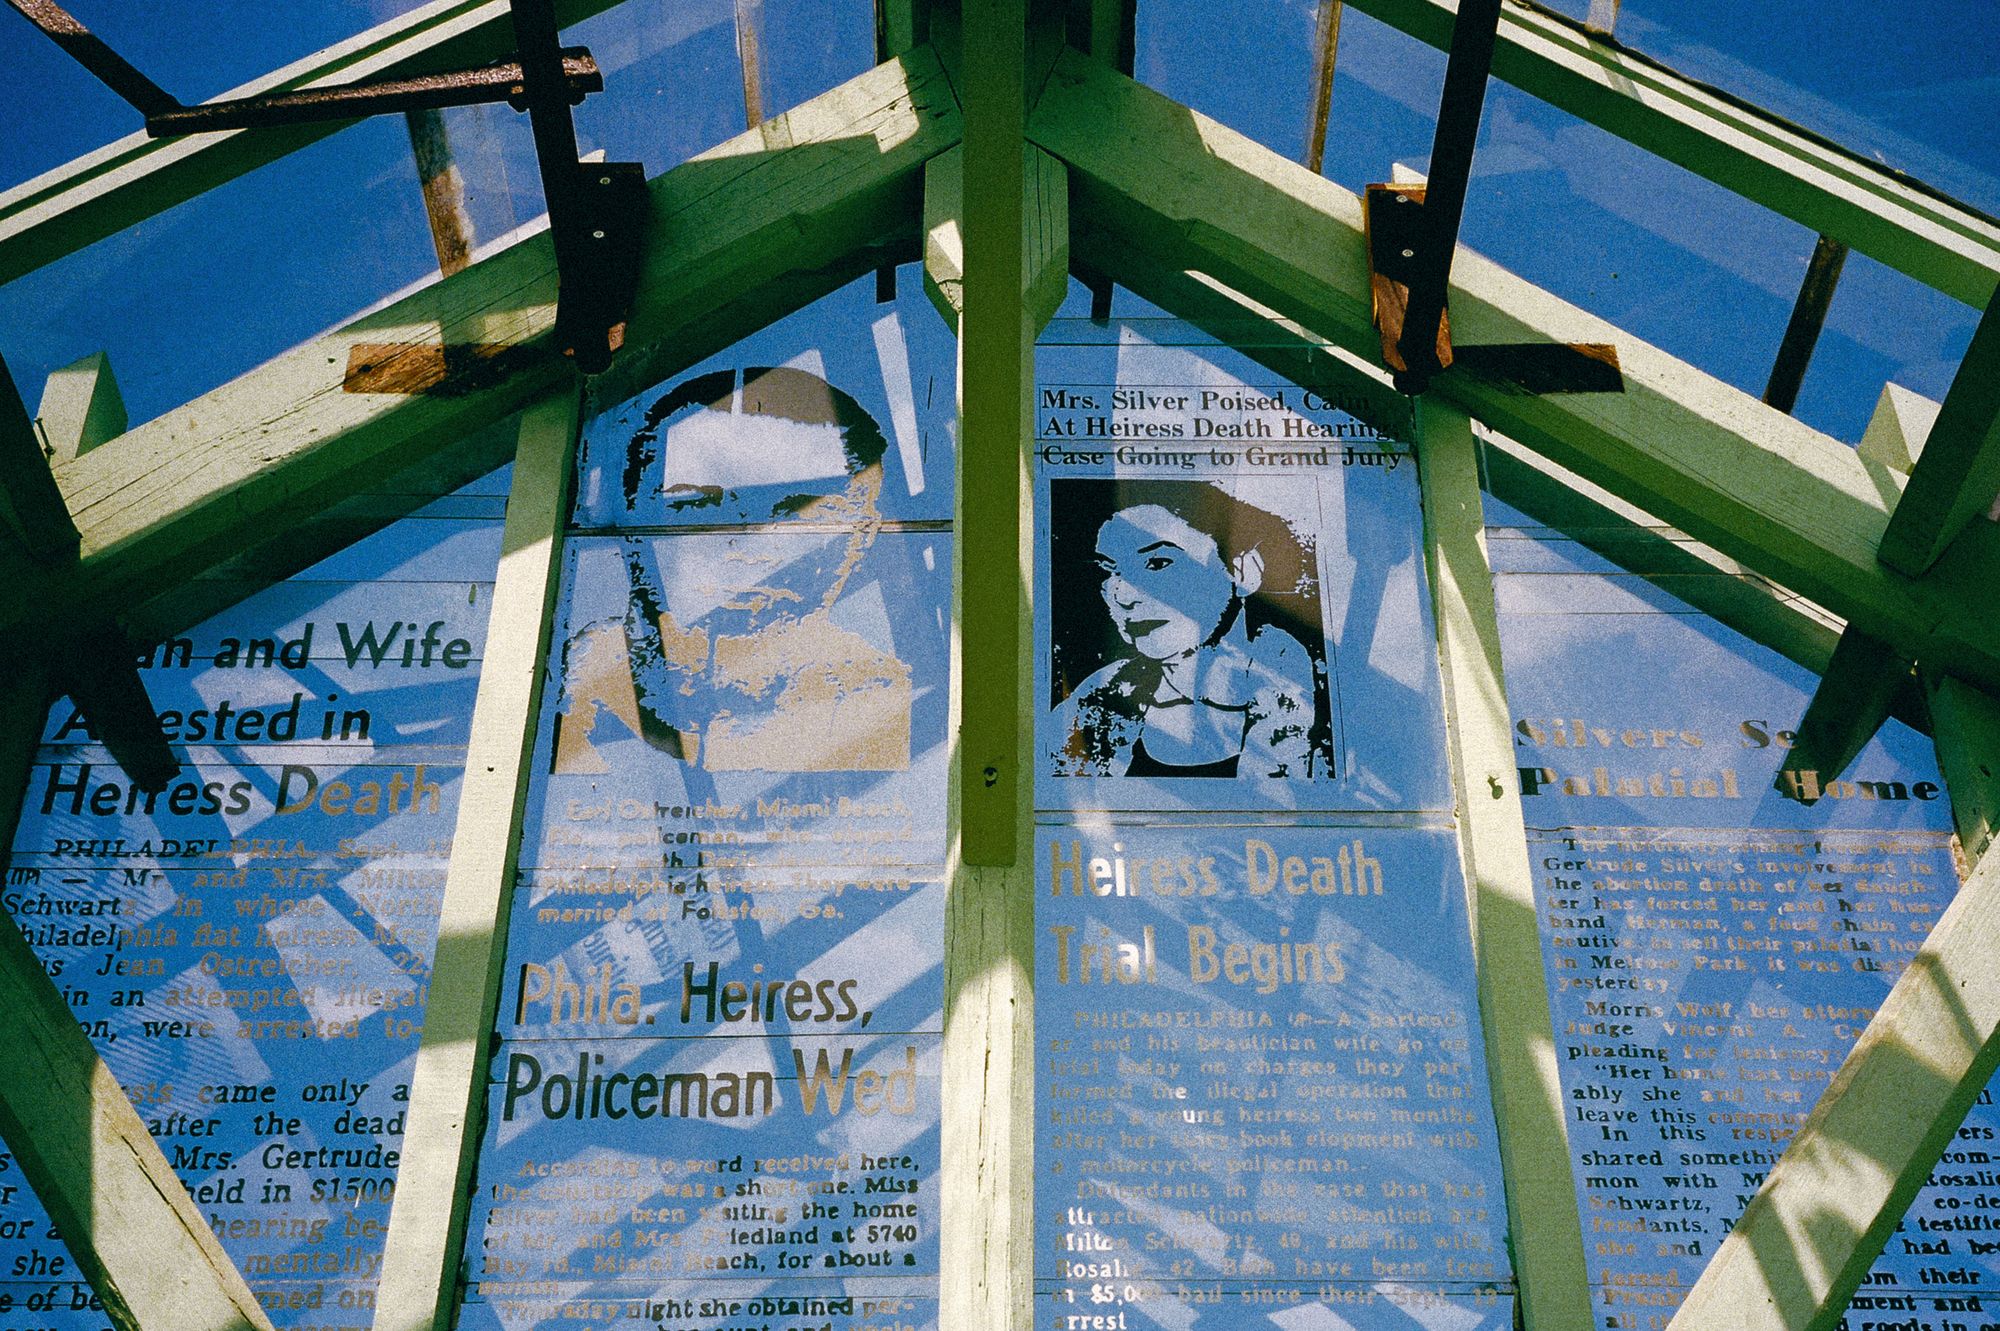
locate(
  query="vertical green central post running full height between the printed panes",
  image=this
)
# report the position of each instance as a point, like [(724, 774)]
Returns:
[(987, 1130)]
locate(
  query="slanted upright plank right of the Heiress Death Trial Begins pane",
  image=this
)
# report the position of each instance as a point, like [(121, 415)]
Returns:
[(1507, 940)]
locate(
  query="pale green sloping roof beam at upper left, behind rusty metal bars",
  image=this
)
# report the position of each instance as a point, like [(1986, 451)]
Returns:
[(137, 177)]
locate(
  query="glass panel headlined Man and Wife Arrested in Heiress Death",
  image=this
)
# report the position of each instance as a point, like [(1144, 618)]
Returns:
[(251, 948)]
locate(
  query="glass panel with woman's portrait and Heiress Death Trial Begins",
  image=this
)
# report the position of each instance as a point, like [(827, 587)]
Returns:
[(1259, 1068)]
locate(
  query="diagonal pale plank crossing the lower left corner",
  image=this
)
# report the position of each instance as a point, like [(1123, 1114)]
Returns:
[(125, 1216)]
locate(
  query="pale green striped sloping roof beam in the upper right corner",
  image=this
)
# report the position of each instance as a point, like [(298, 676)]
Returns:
[(1827, 189)]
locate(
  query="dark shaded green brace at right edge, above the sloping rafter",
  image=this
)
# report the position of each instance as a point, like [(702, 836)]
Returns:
[(1959, 475)]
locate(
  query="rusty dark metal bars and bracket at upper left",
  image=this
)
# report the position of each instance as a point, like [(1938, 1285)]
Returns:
[(597, 211)]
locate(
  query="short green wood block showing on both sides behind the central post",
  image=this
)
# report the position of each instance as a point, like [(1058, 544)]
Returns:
[(1045, 241)]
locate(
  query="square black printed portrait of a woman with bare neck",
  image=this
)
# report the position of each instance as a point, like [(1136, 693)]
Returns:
[(1187, 637)]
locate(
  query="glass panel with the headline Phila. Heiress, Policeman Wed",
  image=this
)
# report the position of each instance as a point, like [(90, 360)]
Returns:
[(723, 1004)]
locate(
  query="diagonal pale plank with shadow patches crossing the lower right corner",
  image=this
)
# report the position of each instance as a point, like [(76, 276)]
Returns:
[(1845, 1182)]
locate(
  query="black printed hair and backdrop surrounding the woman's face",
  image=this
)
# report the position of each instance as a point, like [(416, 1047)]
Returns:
[(1083, 637)]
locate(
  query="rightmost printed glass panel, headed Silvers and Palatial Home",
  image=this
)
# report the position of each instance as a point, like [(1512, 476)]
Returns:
[(1717, 932)]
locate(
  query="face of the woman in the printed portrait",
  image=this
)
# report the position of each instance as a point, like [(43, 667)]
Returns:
[(1165, 583)]
